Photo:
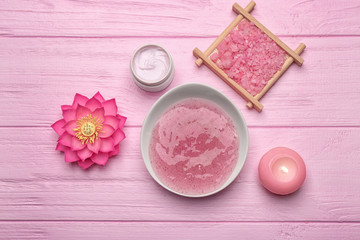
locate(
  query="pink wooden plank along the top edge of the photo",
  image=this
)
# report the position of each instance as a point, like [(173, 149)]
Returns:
[(164, 18)]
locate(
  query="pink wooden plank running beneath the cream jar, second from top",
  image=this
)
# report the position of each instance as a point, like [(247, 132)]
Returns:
[(38, 75)]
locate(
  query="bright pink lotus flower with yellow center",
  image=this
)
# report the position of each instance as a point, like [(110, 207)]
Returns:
[(90, 131)]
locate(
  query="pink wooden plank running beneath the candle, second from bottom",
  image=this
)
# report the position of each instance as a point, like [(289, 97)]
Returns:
[(36, 184)]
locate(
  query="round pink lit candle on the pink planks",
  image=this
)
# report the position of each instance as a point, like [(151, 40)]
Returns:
[(282, 170)]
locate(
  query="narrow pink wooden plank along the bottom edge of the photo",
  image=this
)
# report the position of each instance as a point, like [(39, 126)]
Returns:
[(177, 230)]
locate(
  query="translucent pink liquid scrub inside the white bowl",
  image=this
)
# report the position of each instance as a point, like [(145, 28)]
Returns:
[(194, 147)]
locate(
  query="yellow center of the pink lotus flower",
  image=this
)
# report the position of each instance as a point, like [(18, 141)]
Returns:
[(88, 128)]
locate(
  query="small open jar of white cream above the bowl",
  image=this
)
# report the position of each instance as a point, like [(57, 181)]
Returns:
[(152, 68)]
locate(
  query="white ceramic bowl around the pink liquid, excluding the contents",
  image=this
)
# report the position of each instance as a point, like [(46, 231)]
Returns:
[(194, 90)]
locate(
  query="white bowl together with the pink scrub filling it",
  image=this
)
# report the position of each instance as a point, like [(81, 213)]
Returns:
[(194, 141)]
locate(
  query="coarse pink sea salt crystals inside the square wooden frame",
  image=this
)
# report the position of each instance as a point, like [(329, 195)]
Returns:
[(249, 57)]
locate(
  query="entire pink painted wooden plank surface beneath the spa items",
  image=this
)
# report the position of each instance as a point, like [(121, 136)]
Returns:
[(49, 50)]
